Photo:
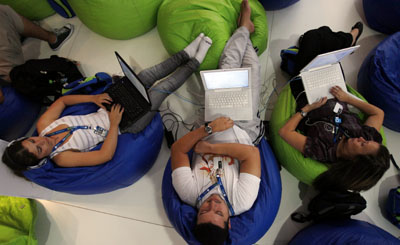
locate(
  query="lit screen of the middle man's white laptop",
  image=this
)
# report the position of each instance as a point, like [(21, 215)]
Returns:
[(226, 79)]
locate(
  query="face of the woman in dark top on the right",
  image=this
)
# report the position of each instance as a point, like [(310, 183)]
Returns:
[(360, 146)]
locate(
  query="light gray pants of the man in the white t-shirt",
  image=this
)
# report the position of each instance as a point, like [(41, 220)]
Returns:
[(239, 52)]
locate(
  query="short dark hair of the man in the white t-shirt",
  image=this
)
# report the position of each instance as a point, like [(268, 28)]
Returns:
[(210, 234)]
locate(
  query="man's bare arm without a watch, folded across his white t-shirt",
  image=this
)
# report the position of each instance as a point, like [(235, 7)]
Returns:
[(248, 156)]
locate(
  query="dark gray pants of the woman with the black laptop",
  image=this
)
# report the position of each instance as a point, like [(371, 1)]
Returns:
[(183, 67)]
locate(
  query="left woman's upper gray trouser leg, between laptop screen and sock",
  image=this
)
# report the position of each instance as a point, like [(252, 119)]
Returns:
[(152, 74)]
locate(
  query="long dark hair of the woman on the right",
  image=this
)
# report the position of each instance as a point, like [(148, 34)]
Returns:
[(358, 174)]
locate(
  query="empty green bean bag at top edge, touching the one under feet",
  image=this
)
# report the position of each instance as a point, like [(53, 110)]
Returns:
[(117, 19)]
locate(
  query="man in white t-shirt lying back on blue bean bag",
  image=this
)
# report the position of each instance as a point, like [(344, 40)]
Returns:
[(223, 178)]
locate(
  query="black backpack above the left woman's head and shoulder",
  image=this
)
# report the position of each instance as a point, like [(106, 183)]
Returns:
[(39, 78)]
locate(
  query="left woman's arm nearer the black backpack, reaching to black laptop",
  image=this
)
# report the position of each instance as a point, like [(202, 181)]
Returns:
[(55, 110)]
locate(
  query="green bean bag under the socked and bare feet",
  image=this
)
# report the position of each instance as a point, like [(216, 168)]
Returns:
[(181, 21)]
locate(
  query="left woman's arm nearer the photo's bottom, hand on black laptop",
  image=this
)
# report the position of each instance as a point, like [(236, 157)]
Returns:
[(104, 154)]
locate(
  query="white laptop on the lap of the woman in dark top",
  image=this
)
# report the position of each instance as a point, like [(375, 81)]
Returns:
[(323, 72)]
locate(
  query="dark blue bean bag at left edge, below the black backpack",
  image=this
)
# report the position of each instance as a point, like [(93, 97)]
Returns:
[(17, 114)]
